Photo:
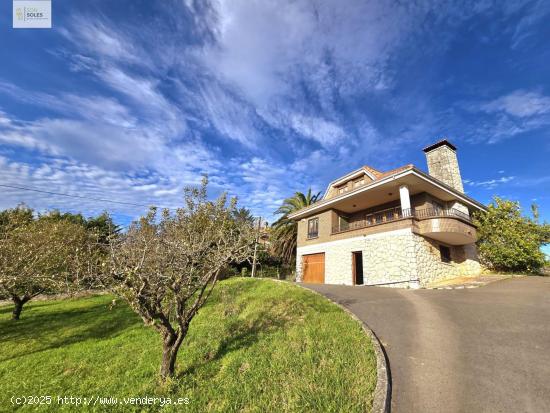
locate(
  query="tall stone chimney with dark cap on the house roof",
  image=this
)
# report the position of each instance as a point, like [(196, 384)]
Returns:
[(443, 164)]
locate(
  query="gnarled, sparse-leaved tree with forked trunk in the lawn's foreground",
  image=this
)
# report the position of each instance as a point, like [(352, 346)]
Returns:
[(166, 266)]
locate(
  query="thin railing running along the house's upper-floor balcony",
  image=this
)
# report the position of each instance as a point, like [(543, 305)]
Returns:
[(394, 214)]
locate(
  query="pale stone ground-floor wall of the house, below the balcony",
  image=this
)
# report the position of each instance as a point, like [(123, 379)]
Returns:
[(398, 258)]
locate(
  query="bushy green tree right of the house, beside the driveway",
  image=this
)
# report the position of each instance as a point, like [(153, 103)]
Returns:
[(508, 241)]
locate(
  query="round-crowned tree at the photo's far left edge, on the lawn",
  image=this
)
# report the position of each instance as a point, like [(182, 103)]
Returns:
[(39, 256)]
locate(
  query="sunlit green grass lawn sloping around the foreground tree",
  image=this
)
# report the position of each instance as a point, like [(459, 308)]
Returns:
[(257, 346)]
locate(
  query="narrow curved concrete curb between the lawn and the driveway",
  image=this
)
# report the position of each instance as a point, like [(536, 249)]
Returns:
[(382, 392)]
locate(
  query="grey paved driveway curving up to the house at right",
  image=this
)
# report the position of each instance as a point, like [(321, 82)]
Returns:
[(474, 350)]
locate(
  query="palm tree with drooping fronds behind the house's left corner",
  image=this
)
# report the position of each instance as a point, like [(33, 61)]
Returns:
[(285, 230)]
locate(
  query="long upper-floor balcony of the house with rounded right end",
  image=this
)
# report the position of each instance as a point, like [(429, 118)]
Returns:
[(447, 225)]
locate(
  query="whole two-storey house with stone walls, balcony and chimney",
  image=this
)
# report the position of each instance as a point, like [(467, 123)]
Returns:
[(400, 228)]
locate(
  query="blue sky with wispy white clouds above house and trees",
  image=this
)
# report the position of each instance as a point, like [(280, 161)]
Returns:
[(132, 101)]
